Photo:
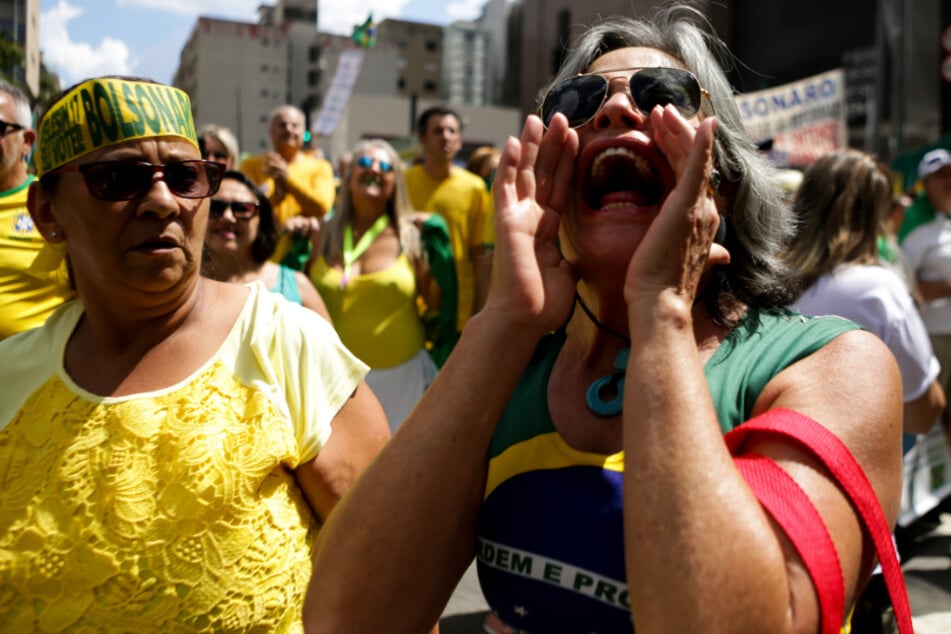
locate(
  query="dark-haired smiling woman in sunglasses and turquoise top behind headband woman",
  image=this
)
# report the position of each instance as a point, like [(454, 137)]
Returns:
[(242, 236)]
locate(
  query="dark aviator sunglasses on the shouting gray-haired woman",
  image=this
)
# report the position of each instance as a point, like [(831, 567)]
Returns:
[(579, 98)]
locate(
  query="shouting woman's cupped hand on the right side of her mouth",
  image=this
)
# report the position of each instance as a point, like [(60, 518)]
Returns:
[(679, 246)]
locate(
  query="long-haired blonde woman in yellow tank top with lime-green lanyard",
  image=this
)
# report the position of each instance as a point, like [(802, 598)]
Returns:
[(371, 268)]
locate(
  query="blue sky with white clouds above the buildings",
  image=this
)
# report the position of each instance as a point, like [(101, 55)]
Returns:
[(82, 38)]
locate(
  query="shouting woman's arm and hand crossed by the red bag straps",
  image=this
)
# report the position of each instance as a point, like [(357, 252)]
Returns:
[(694, 532)]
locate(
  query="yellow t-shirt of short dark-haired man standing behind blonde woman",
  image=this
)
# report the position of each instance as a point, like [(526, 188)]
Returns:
[(461, 200)]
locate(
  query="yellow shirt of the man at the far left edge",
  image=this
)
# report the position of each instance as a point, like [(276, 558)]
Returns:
[(27, 297)]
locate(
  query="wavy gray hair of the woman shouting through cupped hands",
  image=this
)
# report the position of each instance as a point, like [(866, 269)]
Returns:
[(759, 223)]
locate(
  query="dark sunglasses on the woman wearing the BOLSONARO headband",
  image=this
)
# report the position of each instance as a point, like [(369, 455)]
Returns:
[(129, 180)]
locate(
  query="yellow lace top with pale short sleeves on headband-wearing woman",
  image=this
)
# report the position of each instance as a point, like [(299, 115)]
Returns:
[(172, 511)]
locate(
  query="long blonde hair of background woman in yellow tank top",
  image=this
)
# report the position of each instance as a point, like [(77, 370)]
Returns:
[(398, 207)]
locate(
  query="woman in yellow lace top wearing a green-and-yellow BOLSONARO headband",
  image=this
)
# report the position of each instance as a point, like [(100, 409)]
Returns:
[(169, 445)]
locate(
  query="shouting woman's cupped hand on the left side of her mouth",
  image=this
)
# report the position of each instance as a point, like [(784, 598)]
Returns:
[(532, 286)]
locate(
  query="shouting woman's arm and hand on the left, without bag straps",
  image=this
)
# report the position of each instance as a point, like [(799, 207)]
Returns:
[(435, 465)]
